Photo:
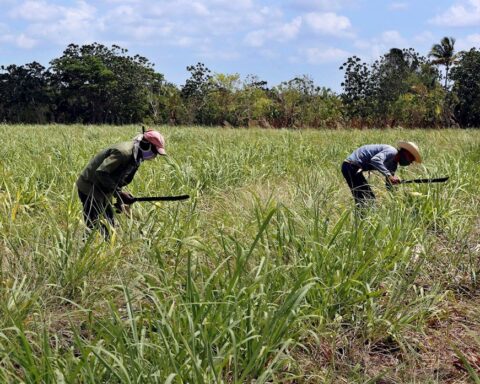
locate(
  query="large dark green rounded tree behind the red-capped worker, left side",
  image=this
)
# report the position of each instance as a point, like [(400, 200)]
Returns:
[(97, 84)]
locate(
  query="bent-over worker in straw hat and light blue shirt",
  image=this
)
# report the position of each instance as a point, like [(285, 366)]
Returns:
[(376, 157)]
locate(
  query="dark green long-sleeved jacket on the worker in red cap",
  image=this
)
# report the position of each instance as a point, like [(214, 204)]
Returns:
[(110, 170)]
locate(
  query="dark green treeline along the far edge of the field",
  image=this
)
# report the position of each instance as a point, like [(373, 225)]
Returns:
[(96, 84)]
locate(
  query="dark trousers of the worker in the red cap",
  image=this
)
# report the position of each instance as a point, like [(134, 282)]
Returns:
[(94, 209)]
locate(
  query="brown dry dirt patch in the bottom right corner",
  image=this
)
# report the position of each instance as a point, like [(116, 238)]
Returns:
[(431, 356)]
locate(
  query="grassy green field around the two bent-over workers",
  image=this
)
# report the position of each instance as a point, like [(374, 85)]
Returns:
[(263, 275)]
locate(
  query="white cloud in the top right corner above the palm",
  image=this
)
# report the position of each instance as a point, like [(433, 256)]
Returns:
[(464, 13)]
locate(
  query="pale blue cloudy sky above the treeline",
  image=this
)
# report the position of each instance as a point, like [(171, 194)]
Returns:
[(275, 40)]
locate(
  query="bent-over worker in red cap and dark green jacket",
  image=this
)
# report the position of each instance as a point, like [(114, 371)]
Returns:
[(109, 171)]
